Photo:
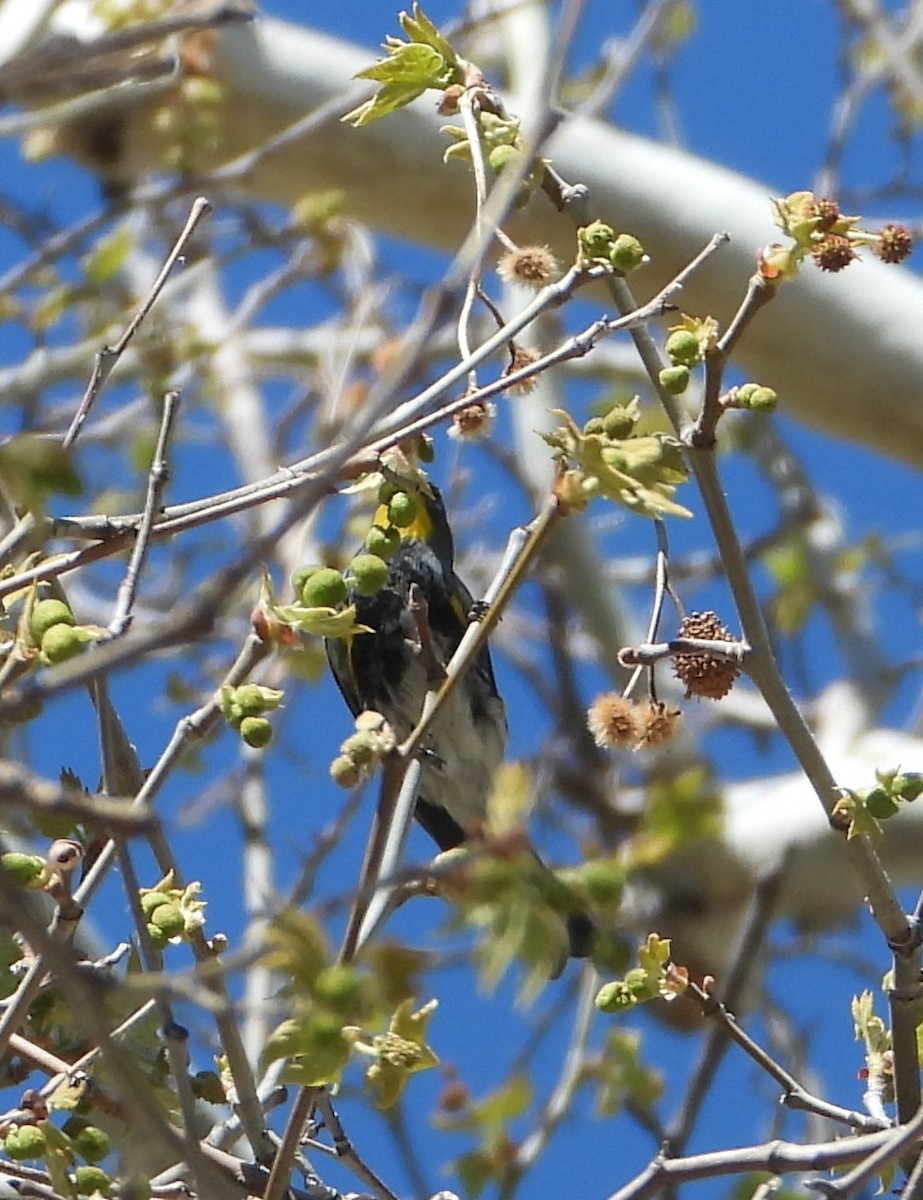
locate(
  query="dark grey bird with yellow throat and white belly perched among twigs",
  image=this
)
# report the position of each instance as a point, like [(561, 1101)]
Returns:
[(385, 671)]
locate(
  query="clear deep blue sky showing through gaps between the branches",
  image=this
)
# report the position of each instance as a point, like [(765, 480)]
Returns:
[(754, 89)]
